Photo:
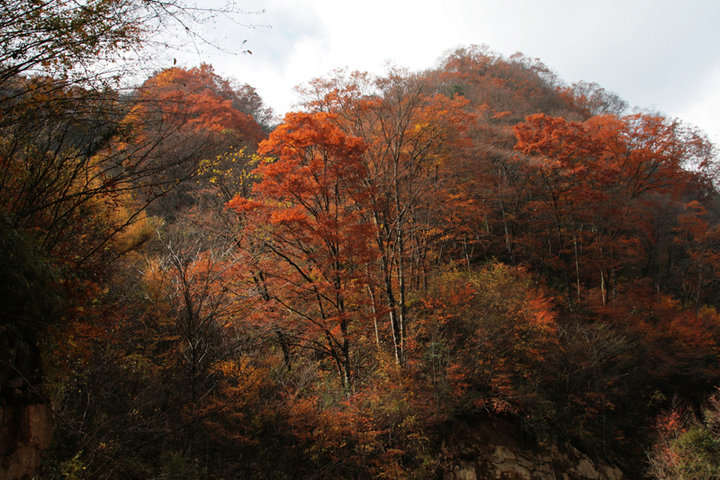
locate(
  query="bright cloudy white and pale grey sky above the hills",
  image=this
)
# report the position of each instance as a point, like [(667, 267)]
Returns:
[(659, 55)]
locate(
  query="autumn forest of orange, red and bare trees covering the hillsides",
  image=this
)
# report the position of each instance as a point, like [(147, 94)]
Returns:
[(192, 288)]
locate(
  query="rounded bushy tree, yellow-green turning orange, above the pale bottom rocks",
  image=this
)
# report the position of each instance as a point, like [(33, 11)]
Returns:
[(495, 332)]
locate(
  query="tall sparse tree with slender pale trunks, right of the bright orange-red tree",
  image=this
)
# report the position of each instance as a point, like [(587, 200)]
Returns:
[(409, 132)]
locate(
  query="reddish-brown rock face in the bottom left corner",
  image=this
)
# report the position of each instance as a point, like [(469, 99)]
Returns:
[(25, 433)]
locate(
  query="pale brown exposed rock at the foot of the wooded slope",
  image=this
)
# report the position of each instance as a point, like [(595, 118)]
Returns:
[(493, 452)]
